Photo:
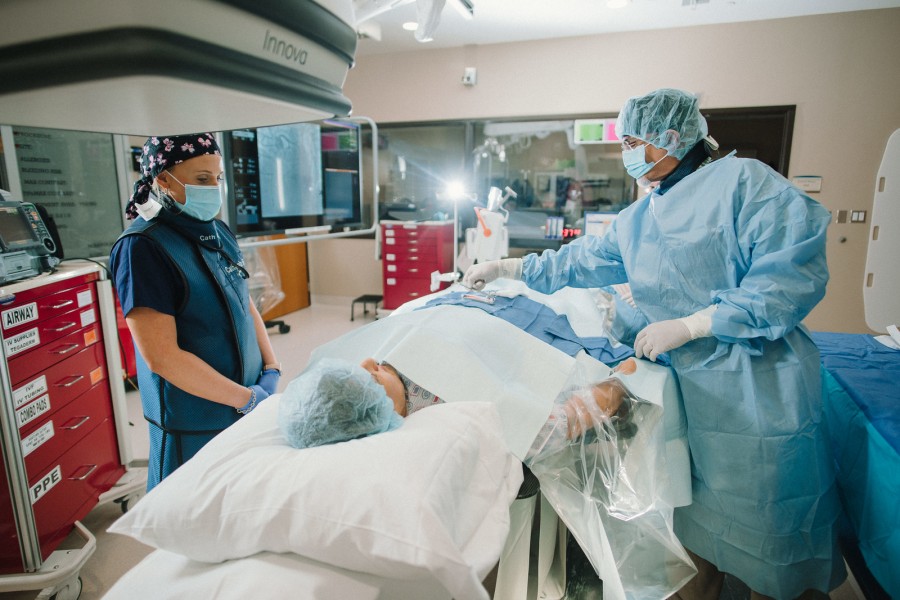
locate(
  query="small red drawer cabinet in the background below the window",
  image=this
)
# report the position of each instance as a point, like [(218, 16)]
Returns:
[(410, 252)]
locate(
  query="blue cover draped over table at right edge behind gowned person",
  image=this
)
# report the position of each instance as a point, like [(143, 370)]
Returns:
[(862, 412)]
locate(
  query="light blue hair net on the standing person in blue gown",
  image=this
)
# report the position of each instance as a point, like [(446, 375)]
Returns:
[(666, 118)]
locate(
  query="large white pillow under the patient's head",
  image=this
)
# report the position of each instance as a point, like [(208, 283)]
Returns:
[(430, 499)]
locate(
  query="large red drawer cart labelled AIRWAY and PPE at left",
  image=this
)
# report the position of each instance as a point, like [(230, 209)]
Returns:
[(62, 409)]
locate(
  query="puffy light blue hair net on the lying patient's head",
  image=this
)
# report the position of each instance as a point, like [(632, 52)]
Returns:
[(334, 401)]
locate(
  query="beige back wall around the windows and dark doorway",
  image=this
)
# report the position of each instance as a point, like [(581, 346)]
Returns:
[(841, 71)]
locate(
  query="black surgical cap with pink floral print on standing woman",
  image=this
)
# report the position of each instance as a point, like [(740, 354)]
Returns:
[(164, 152)]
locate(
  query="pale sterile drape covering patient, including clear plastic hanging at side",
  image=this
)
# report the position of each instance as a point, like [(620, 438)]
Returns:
[(610, 485)]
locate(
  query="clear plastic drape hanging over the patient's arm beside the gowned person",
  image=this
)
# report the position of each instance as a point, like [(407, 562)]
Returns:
[(601, 464)]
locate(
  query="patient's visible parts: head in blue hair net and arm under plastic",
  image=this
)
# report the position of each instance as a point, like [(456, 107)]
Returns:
[(336, 401)]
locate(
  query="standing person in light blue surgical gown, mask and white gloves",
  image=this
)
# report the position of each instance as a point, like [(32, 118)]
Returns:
[(724, 258)]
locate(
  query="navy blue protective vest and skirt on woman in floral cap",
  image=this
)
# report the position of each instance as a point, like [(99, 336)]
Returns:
[(214, 322)]
